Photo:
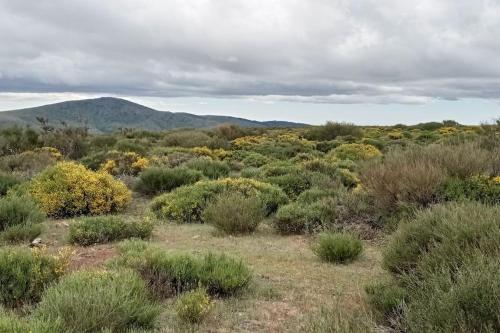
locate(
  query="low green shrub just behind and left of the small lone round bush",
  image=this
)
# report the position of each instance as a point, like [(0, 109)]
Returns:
[(296, 218)]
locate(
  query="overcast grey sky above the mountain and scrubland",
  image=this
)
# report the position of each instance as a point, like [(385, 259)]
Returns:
[(366, 61)]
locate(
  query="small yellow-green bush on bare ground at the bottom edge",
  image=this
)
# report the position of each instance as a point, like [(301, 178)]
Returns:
[(193, 306)]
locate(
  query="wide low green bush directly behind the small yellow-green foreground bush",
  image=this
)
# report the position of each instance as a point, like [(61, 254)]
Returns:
[(170, 274)]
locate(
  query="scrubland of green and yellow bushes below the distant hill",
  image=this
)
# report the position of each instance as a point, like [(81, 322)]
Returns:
[(334, 228)]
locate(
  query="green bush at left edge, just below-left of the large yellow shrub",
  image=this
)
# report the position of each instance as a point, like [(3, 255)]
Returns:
[(16, 211)]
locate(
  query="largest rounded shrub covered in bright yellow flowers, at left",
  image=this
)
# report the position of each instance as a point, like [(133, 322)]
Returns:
[(69, 189)]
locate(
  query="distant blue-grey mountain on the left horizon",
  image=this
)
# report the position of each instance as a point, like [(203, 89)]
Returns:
[(106, 114)]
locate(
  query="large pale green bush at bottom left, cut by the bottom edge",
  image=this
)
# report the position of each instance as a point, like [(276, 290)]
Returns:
[(86, 300)]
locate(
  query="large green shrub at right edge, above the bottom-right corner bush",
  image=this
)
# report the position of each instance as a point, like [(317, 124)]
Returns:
[(444, 235)]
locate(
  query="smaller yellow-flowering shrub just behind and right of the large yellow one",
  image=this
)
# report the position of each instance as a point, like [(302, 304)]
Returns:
[(128, 163)]
